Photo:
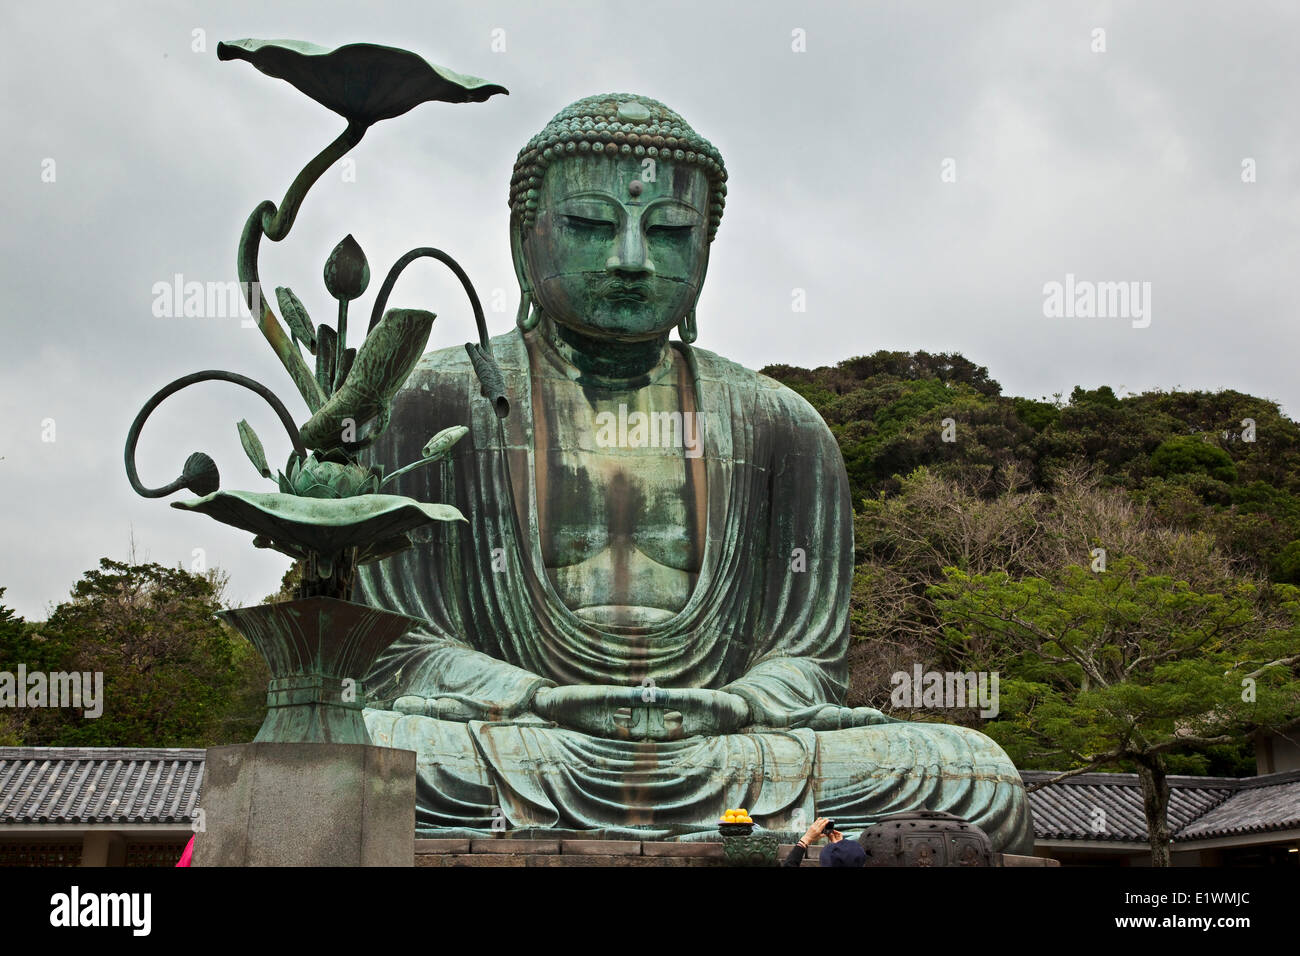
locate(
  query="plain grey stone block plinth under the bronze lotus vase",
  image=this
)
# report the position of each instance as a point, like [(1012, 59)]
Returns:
[(307, 806)]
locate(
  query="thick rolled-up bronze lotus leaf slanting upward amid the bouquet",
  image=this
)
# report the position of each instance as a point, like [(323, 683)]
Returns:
[(384, 362)]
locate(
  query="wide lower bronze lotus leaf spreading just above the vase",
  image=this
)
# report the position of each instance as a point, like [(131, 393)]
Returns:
[(326, 526)]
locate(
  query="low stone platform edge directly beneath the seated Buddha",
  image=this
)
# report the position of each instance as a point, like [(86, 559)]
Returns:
[(569, 853)]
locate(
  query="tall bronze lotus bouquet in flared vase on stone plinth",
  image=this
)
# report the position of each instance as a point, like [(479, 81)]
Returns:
[(331, 512)]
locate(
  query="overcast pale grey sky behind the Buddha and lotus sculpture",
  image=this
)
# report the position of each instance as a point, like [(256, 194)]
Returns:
[(1116, 166)]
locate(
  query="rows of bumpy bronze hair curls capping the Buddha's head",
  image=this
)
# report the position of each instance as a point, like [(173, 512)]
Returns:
[(616, 124)]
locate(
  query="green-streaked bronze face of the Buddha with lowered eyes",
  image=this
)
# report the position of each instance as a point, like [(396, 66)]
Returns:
[(613, 256)]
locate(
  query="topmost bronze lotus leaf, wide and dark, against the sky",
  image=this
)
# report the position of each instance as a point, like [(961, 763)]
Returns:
[(365, 83)]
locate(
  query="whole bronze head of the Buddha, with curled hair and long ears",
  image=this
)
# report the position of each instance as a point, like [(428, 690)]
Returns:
[(613, 209)]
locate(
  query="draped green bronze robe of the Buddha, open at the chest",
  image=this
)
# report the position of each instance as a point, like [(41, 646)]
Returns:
[(768, 621)]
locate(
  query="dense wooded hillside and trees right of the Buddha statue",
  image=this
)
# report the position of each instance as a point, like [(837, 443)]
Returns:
[(1124, 563)]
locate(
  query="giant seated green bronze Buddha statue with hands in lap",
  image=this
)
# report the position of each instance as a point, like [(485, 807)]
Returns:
[(645, 617)]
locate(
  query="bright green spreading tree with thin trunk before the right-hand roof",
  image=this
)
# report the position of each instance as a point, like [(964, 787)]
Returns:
[(1126, 669)]
